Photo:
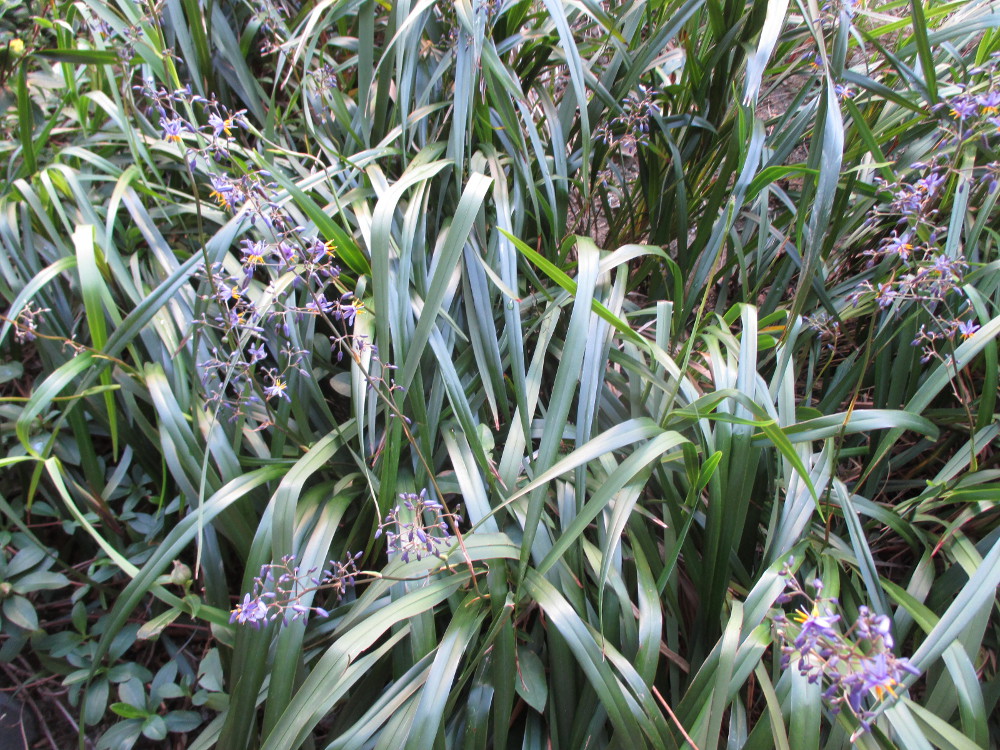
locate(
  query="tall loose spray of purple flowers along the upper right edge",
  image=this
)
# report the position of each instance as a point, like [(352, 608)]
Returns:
[(917, 269)]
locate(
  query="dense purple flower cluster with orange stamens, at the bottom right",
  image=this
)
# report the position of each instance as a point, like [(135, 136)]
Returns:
[(857, 666)]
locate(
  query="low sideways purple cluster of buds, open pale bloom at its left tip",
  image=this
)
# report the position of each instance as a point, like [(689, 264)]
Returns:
[(279, 589)]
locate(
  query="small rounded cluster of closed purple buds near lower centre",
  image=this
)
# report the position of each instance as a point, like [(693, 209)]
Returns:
[(419, 527)]
